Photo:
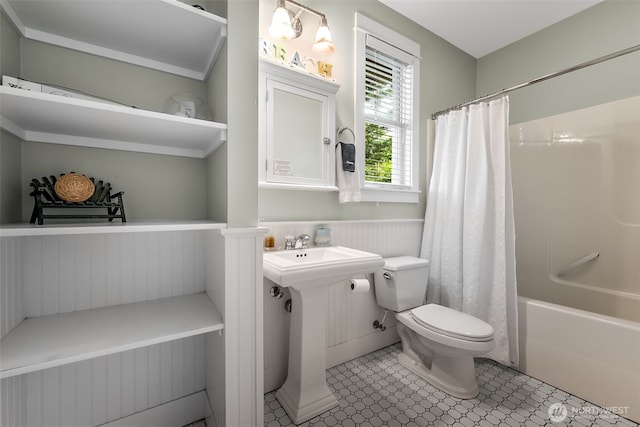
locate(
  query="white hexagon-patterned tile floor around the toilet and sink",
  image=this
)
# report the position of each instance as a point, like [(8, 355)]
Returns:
[(375, 390)]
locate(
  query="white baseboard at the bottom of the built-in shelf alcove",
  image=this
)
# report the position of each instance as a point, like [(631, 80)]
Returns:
[(176, 413)]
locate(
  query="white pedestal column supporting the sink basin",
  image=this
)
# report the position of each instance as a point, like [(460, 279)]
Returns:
[(305, 393)]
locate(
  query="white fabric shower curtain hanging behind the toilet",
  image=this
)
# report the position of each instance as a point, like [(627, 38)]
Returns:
[(469, 235)]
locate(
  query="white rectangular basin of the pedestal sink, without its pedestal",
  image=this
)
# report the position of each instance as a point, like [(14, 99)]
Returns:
[(317, 266)]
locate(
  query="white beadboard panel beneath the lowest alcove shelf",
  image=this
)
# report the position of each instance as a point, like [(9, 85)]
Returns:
[(104, 389)]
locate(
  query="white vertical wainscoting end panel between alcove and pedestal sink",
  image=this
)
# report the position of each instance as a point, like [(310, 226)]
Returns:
[(243, 364)]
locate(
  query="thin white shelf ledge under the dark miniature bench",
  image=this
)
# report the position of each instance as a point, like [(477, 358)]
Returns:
[(18, 230)]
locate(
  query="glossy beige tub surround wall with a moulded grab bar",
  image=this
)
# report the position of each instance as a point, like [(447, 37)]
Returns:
[(575, 193)]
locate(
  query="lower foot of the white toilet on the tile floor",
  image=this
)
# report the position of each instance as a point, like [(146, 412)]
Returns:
[(463, 386)]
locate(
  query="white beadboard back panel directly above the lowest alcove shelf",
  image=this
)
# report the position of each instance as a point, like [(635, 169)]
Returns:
[(78, 272)]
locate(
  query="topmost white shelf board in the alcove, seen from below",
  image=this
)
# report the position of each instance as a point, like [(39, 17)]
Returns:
[(165, 35)]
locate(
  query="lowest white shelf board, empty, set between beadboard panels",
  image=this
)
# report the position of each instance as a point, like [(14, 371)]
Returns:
[(55, 340)]
